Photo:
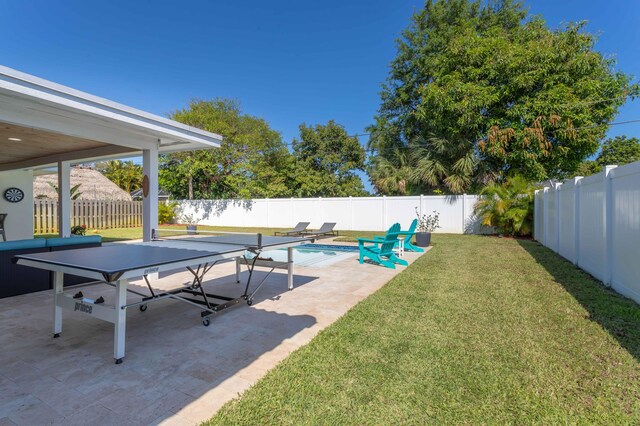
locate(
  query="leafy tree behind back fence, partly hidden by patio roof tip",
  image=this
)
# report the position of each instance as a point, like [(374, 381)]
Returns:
[(251, 162)]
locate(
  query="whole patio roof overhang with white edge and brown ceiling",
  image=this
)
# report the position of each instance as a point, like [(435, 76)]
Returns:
[(43, 123)]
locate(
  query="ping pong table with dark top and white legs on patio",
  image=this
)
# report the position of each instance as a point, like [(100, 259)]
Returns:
[(116, 264)]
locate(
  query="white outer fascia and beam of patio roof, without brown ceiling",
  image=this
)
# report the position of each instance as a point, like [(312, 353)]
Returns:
[(38, 104)]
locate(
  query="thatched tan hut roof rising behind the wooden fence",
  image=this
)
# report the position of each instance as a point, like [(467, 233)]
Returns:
[(93, 186)]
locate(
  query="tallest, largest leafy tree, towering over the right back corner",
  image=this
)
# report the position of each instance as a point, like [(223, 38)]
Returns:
[(480, 91)]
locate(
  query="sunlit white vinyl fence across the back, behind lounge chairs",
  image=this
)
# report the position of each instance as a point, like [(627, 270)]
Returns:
[(350, 213)]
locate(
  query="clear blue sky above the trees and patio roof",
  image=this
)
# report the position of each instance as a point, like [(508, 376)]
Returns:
[(288, 62)]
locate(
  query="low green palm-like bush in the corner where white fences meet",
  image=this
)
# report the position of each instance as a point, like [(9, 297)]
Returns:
[(508, 206)]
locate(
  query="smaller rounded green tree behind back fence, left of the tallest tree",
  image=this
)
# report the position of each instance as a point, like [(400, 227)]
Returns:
[(327, 160)]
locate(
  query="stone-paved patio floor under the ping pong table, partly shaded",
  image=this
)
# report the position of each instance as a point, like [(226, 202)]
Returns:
[(176, 371)]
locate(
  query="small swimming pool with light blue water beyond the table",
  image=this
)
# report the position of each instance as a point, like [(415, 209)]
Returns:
[(312, 255)]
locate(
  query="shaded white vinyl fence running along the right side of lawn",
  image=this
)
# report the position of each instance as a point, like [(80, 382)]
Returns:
[(595, 223)]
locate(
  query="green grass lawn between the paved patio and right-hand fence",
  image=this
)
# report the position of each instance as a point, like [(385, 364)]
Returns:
[(479, 330)]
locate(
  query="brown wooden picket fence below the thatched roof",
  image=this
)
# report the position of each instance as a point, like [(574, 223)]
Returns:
[(94, 214)]
